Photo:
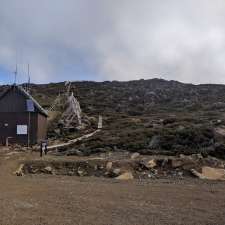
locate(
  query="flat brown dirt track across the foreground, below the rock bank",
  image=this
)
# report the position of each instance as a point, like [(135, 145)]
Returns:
[(43, 200)]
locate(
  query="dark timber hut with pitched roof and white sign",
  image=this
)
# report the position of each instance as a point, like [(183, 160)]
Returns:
[(22, 120)]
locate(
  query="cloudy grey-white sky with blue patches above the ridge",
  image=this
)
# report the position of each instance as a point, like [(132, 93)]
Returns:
[(113, 40)]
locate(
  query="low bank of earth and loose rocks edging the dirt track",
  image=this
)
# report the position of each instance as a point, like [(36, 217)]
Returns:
[(127, 166)]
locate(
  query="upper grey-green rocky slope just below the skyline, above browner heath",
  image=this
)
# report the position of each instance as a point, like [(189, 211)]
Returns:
[(137, 97)]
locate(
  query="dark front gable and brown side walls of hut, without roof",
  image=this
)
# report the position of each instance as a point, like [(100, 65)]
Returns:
[(13, 112)]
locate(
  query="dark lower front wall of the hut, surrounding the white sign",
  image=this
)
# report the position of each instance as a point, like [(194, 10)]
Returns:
[(8, 127)]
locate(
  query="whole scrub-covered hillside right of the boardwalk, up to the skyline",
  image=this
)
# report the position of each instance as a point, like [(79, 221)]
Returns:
[(149, 116)]
